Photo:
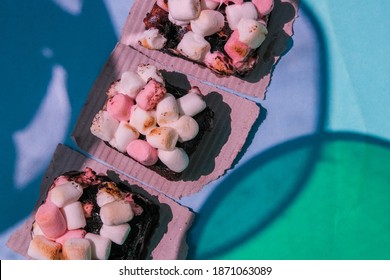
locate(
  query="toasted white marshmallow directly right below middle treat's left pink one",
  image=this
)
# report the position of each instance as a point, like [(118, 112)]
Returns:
[(142, 120)]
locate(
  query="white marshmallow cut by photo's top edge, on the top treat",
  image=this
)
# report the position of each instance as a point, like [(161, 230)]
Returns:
[(184, 9)]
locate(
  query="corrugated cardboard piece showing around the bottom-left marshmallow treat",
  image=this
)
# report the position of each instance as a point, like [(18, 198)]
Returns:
[(168, 241)]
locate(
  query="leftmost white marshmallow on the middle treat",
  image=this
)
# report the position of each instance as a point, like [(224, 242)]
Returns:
[(104, 126)]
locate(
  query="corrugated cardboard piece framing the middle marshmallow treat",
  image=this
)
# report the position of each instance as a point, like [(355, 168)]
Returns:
[(234, 118)]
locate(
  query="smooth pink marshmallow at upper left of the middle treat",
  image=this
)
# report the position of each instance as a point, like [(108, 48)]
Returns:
[(119, 107)]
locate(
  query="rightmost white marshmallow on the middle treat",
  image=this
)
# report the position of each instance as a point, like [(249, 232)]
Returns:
[(192, 103)]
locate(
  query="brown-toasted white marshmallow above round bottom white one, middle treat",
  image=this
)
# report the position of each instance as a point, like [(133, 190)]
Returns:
[(164, 138)]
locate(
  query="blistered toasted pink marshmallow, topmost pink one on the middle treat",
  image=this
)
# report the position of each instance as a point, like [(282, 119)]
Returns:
[(150, 95)]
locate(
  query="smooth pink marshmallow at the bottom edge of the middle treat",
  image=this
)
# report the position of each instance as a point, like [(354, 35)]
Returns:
[(143, 152)]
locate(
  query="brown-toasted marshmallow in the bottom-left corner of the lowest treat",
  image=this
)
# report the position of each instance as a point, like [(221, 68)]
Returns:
[(41, 248)]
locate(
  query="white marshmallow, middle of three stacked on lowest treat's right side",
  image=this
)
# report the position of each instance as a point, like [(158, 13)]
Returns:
[(116, 213)]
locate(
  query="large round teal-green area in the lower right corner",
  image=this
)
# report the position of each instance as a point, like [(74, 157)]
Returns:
[(341, 210)]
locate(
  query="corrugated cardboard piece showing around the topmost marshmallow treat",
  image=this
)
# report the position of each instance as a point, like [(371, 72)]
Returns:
[(277, 43)]
